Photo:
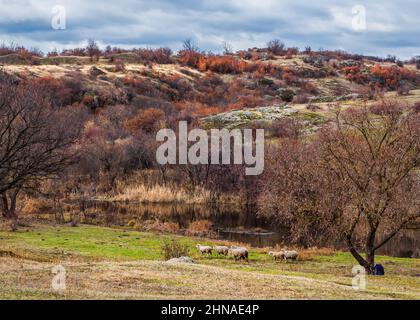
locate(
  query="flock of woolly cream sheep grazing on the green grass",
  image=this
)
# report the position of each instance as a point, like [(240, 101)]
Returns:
[(240, 253)]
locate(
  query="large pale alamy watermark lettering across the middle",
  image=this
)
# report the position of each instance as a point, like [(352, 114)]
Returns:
[(220, 142)]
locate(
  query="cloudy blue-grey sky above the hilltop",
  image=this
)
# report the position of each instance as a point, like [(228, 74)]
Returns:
[(375, 27)]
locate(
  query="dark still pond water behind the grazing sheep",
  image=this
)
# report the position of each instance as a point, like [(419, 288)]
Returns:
[(227, 223)]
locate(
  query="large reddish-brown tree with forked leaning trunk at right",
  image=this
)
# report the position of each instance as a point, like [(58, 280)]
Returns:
[(357, 182)]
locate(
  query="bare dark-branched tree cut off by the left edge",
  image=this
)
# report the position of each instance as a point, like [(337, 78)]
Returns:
[(35, 140)]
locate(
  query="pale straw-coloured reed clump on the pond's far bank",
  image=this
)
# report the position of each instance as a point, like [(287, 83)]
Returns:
[(161, 194)]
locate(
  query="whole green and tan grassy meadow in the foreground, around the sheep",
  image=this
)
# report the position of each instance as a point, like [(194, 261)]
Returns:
[(115, 263)]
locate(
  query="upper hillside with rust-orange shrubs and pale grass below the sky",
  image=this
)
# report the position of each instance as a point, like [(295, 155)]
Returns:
[(195, 85)]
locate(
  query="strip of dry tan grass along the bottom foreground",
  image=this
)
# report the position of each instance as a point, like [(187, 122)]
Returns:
[(160, 280)]
